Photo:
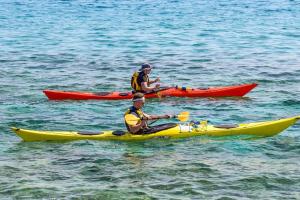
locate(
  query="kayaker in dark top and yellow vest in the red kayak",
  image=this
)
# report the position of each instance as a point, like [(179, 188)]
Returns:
[(140, 80)]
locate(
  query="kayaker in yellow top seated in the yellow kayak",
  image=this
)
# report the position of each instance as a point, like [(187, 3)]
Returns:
[(140, 126)]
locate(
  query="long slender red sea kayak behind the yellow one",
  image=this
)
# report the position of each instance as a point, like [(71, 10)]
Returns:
[(227, 91)]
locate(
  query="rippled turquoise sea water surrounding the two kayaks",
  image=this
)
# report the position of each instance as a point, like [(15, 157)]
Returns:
[(96, 45)]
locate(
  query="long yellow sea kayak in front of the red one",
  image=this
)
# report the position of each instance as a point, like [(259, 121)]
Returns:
[(171, 130)]
